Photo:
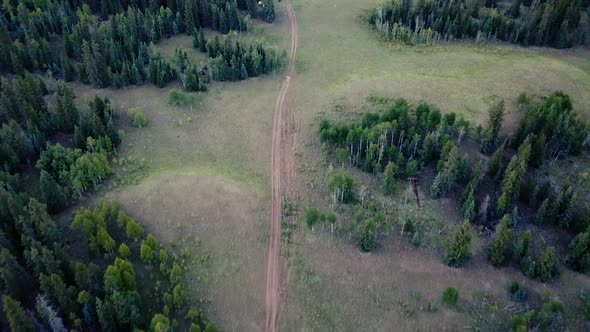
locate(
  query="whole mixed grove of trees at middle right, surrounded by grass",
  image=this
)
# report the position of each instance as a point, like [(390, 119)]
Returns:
[(403, 143)]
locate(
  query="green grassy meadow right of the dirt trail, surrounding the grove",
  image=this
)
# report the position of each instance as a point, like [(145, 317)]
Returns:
[(332, 285)]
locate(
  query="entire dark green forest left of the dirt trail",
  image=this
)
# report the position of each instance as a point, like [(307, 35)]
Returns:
[(97, 280)]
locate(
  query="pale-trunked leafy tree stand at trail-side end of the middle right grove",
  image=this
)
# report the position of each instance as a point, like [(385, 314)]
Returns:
[(401, 139)]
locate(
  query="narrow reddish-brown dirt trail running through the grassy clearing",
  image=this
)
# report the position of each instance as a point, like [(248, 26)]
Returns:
[(282, 173)]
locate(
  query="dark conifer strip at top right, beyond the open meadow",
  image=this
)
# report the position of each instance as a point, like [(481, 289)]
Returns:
[(542, 23)]
